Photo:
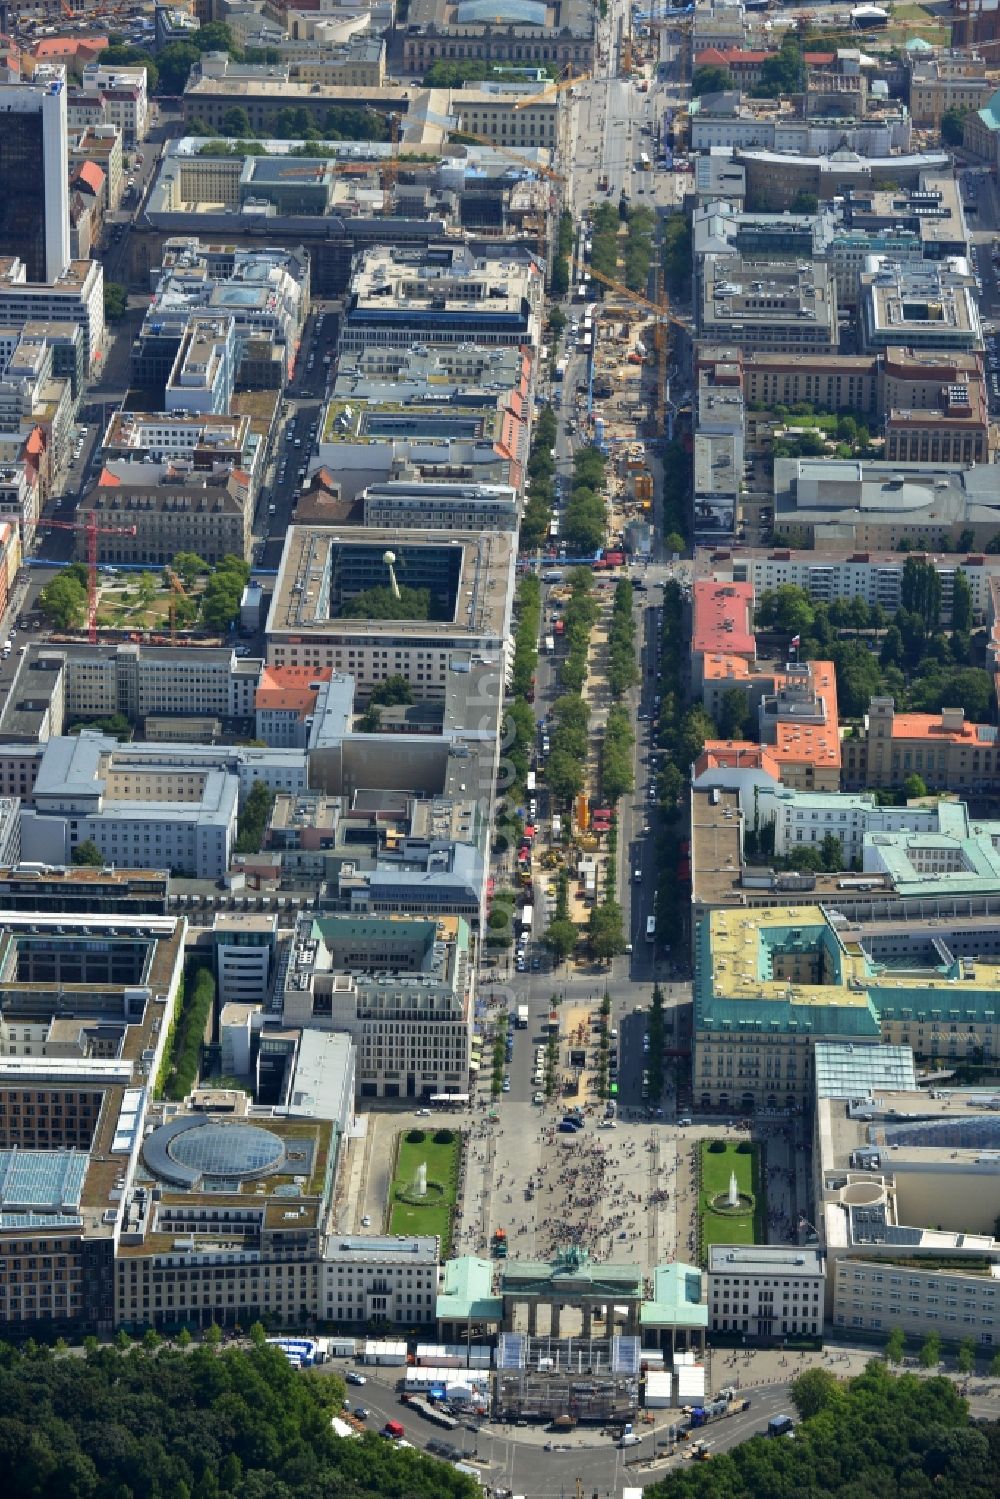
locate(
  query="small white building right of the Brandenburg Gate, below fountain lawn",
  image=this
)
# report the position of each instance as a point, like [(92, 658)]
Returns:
[(767, 1291)]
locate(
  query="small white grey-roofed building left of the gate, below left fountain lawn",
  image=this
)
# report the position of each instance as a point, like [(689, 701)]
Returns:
[(374, 1279)]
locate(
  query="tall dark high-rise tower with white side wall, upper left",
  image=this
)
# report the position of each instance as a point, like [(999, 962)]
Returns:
[(34, 176)]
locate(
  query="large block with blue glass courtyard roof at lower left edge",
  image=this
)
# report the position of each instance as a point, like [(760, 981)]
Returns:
[(86, 1011)]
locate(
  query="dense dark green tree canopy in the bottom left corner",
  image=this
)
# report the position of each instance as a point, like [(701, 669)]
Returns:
[(166, 1423)]
